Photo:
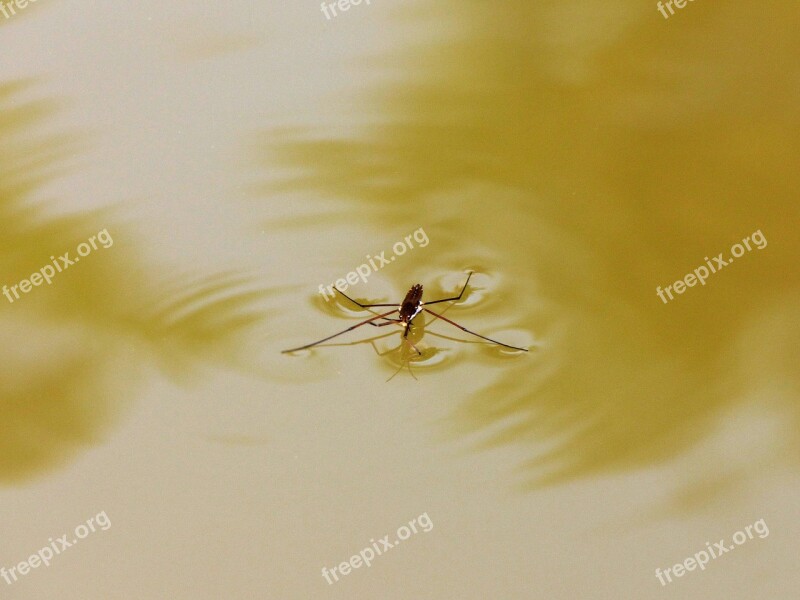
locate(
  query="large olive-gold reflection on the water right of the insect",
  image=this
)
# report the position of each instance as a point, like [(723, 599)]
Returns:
[(590, 160)]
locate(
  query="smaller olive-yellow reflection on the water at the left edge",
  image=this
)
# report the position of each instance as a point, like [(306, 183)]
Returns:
[(73, 349)]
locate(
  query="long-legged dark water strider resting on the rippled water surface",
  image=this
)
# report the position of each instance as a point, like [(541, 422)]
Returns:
[(407, 311)]
